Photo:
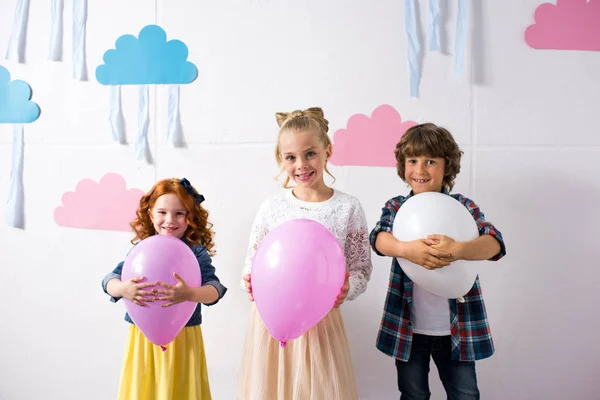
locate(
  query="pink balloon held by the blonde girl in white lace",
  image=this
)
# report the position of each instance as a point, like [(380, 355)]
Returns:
[(297, 273)]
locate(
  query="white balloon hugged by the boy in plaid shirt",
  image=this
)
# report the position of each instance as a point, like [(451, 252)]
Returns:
[(437, 213)]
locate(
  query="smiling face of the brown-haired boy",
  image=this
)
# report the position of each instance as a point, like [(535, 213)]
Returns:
[(424, 173)]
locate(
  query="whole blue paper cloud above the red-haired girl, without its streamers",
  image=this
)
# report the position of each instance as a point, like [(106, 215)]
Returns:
[(147, 60)]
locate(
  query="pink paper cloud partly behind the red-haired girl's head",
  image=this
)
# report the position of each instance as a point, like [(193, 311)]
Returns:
[(107, 205)]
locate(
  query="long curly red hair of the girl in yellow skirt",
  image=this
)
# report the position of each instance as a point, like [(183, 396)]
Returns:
[(199, 230)]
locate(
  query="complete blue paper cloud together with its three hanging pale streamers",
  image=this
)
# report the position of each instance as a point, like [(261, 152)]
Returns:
[(149, 59)]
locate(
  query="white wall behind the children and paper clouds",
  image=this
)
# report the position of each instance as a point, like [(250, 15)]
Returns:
[(526, 119)]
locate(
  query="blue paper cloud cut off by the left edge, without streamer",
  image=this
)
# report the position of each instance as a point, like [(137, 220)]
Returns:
[(15, 104)]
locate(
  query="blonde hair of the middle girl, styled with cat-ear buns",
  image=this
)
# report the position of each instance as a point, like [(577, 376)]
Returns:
[(309, 120)]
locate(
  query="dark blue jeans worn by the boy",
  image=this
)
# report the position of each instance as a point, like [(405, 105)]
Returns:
[(458, 377)]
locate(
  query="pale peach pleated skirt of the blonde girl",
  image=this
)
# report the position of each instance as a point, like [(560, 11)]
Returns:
[(315, 366)]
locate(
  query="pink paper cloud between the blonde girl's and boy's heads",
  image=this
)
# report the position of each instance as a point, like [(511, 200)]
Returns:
[(370, 141)]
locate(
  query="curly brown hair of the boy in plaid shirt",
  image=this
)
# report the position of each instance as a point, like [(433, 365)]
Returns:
[(429, 140)]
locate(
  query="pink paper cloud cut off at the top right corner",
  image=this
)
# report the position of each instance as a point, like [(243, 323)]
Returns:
[(568, 25)]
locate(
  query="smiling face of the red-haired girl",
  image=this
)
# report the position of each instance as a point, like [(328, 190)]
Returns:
[(169, 216)]
